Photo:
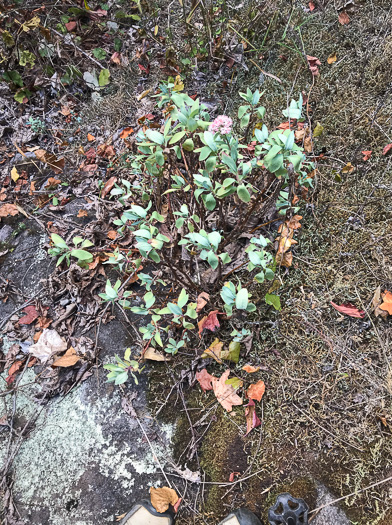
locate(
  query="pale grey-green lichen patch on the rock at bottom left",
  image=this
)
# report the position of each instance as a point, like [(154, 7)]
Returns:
[(74, 436)]
